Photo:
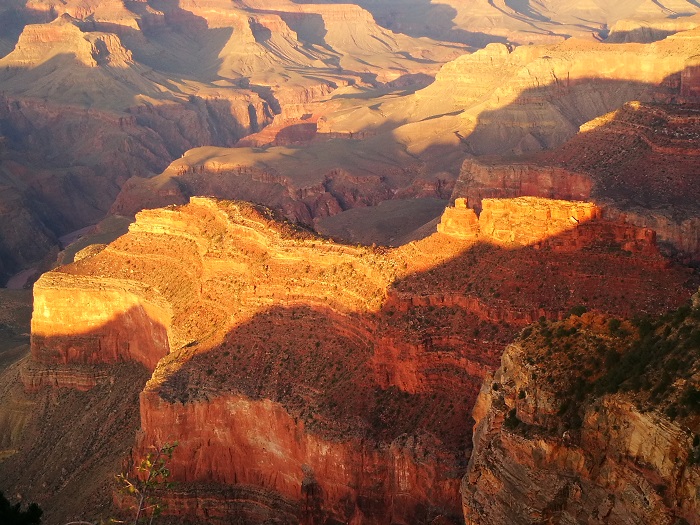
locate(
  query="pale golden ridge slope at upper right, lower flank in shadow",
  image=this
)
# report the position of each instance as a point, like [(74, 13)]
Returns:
[(513, 101)]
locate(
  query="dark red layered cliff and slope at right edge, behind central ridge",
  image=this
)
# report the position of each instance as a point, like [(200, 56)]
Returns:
[(638, 164)]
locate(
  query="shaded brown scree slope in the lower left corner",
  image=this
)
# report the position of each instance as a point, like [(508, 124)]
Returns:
[(72, 443)]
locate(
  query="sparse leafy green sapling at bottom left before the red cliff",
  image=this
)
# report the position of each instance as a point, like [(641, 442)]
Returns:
[(154, 474)]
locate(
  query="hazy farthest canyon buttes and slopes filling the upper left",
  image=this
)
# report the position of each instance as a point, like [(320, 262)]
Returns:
[(112, 90)]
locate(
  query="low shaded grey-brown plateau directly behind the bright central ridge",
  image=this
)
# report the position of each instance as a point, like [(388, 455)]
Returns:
[(304, 183)]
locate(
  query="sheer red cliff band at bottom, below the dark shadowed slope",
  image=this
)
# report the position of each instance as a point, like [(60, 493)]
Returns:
[(352, 480)]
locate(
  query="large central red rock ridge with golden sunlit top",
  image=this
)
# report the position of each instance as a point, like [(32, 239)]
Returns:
[(305, 379)]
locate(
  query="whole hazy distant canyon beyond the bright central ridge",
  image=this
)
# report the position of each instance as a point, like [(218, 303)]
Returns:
[(100, 97)]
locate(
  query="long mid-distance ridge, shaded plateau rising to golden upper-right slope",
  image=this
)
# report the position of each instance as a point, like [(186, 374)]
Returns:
[(498, 100)]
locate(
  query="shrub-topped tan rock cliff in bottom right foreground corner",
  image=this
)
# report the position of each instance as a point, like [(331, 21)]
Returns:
[(554, 443)]
